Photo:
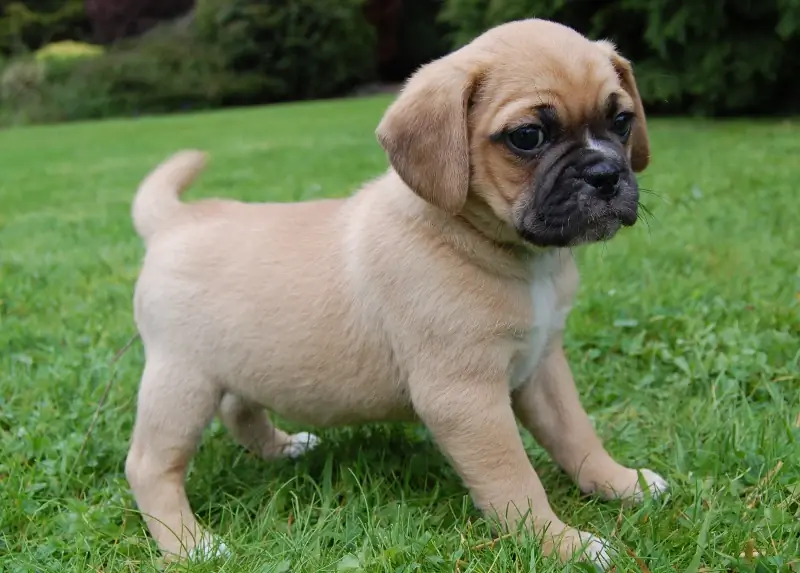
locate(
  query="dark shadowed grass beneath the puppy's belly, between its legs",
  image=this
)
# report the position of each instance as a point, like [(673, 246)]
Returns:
[(382, 464)]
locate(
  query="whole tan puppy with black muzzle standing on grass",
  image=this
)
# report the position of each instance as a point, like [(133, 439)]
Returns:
[(437, 293)]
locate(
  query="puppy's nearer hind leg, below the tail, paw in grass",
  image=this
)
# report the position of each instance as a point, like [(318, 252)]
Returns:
[(174, 406)]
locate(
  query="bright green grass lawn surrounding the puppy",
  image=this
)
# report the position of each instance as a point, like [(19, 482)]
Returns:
[(685, 343)]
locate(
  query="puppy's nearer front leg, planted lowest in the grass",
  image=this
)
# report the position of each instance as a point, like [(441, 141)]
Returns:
[(474, 425)]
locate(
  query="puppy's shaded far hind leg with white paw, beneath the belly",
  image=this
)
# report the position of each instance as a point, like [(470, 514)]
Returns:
[(249, 425)]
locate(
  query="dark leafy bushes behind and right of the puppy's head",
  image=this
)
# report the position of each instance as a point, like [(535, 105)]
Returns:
[(711, 57)]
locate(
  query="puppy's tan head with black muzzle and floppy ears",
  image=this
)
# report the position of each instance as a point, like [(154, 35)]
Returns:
[(532, 119)]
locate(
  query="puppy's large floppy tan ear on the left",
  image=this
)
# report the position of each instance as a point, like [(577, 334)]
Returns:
[(425, 132)]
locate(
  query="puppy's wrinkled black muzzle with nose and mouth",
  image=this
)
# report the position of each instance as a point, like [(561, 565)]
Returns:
[(579, 198)]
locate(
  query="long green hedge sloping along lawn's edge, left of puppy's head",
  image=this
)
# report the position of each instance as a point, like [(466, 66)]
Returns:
[(229, 52)]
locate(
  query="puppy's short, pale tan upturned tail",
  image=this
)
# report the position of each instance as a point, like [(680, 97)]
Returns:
[(157, 200)]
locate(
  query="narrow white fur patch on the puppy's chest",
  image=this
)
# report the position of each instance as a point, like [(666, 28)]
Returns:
[(548, 319)]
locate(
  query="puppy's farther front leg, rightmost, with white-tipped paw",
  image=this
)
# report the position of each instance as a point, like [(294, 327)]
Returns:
[(549, 407)]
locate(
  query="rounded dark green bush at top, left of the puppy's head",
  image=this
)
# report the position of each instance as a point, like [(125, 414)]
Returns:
[(293, 49)]
